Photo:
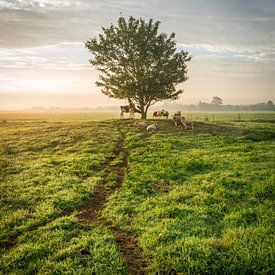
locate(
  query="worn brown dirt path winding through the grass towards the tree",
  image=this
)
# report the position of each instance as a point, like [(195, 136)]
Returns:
[(91, 213)]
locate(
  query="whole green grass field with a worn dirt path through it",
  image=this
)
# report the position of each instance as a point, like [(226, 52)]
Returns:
[(173, 201)]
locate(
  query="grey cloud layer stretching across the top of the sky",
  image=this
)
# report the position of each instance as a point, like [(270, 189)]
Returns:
[(233, 23)]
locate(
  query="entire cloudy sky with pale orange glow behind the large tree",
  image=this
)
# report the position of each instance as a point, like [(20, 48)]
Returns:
[(43, 61)]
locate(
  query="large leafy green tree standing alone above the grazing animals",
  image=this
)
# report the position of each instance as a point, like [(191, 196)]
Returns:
[(138, 63)]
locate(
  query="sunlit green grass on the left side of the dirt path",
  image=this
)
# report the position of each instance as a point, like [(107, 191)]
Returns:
[(47, 171)]
